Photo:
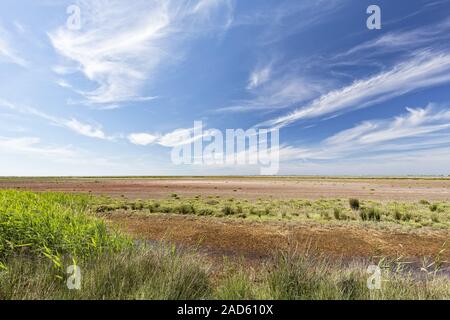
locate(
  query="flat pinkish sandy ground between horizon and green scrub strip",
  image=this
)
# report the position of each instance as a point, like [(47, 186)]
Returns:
[(250, 188)]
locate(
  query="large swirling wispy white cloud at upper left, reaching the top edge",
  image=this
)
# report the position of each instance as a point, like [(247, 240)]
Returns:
[(120, 45)]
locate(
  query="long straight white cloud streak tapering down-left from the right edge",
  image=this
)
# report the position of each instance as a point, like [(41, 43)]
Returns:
[(423, 70)]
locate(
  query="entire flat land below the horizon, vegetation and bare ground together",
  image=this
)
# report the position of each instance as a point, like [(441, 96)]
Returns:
[(225, 237)]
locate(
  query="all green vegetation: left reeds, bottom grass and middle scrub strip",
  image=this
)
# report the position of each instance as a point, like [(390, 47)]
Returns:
[(42, 234)]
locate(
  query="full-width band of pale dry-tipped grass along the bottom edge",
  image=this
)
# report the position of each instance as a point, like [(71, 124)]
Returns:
[(164, 273)]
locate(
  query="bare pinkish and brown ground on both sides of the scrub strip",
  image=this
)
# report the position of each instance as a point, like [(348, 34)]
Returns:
[(253, 237)]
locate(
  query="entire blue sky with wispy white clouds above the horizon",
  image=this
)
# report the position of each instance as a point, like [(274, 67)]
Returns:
[(108, 98)]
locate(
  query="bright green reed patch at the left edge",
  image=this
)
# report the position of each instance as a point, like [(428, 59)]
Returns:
[(53, 225)]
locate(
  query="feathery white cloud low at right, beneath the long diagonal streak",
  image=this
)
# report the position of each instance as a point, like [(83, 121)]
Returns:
[(418, 129)]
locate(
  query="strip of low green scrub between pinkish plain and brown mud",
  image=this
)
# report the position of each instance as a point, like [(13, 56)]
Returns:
[(419, 214)]
